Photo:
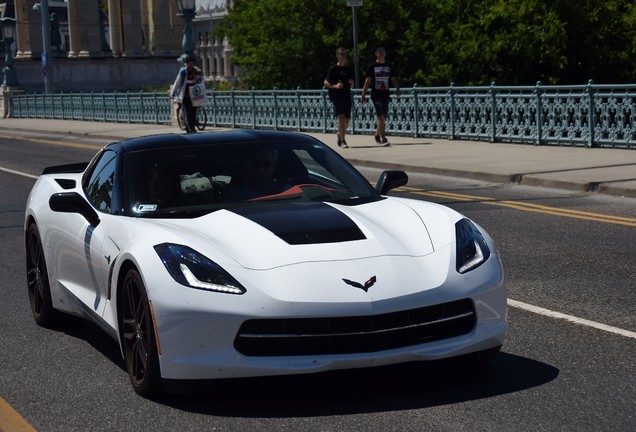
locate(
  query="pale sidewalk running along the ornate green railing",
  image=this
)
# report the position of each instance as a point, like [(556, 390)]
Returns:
[(606, 171)]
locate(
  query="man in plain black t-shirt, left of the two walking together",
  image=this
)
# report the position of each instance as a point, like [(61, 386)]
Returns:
[(339, 81)]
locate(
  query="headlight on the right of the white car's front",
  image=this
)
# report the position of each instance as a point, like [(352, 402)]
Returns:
[(472, 249)]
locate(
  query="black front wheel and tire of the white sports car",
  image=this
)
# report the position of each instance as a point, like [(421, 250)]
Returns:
[(138, 337)]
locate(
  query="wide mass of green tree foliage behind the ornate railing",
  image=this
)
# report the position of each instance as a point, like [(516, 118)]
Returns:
[(290, 43)]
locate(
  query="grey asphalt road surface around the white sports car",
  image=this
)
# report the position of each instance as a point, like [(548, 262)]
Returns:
[(568, 257)]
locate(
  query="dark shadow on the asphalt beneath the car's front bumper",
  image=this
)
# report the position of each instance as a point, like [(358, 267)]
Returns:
[(387, 388)]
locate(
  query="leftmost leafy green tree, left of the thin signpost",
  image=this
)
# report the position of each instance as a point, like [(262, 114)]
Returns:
[(285, 43)]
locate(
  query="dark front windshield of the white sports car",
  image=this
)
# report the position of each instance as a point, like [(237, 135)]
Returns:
[(188, 181)]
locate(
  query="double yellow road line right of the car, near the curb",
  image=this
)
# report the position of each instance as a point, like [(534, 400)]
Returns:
[(530, 207)]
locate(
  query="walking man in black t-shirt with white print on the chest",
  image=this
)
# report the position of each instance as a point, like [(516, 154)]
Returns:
[(380, 75)]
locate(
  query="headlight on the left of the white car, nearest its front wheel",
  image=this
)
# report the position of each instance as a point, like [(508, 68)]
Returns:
[(190, 268)]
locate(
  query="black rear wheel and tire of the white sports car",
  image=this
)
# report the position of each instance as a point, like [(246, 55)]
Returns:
[(38, 281)]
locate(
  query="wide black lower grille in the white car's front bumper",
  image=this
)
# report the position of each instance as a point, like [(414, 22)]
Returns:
[(343, 335)]
